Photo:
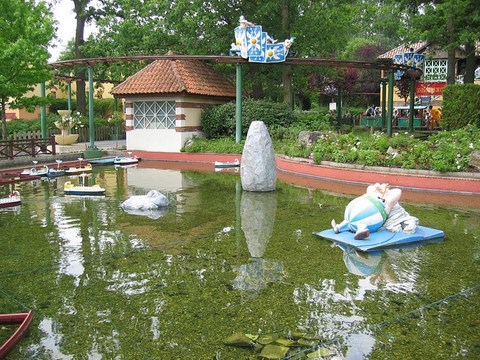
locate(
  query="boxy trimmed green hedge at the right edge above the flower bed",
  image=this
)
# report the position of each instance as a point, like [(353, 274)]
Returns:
[(461, 106)]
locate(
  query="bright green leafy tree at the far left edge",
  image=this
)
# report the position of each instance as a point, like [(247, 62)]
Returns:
[(26, 29)]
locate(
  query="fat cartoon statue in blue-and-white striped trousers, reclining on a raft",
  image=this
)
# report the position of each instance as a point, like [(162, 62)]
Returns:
[(377, 208)]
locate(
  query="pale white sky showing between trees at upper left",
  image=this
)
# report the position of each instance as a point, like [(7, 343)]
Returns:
[(64, 15)]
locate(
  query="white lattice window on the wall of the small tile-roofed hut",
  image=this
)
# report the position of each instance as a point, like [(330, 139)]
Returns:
[(154, 115)]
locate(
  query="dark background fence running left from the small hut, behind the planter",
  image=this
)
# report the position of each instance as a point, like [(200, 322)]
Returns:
[(101, 133)]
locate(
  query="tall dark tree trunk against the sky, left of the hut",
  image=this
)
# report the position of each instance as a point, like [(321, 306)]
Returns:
[(79, 8)]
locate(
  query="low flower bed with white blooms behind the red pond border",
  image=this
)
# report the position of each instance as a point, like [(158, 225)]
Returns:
[(444, 152)]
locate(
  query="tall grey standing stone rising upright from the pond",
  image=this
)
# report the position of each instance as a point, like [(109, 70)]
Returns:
[(258, 170)]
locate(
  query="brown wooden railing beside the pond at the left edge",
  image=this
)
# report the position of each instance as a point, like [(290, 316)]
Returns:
[(10, 149)]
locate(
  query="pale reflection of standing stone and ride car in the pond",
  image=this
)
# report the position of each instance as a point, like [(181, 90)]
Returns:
[(257, 214)]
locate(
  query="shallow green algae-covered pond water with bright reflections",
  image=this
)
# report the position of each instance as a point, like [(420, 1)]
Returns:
[(107, 284)]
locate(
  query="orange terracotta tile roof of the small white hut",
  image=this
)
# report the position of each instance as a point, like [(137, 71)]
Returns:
[(175, 77)]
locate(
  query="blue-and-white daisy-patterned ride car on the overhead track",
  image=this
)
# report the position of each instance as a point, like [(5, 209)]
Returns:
[(256, 45)]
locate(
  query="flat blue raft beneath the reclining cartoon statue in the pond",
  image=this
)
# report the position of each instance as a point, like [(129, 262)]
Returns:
[(382, 239)]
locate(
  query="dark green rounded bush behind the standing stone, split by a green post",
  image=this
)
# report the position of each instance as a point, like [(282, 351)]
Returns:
[(220, 121)]
